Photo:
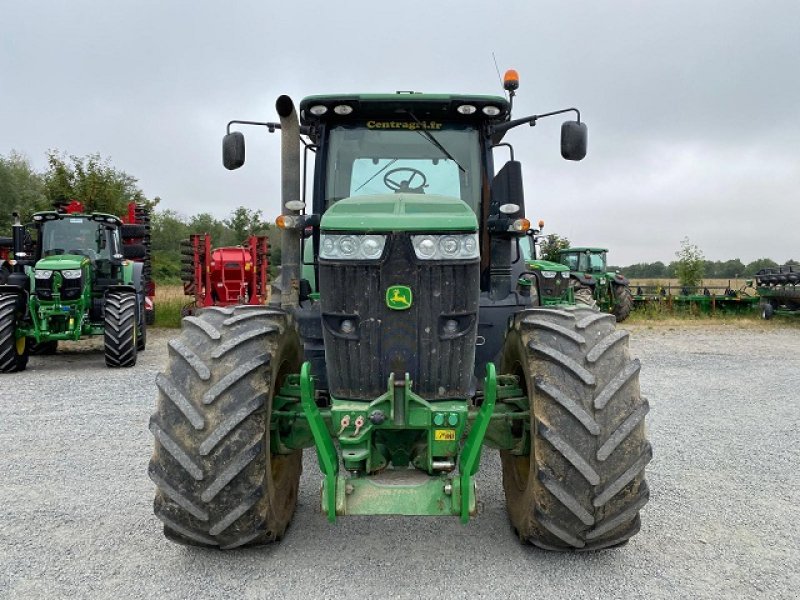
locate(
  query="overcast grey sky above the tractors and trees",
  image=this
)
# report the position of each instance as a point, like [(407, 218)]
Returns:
[(693, 107)]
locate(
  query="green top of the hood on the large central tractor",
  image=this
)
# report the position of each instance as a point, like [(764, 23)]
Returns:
[(400, 212)]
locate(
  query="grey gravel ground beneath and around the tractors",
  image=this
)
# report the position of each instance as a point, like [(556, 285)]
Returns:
[(76, 517)]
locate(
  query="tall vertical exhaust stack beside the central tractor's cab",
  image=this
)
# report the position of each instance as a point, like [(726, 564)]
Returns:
[(290, 201)]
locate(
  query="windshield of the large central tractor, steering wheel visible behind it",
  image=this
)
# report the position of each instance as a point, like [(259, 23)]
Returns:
[(386, 157)]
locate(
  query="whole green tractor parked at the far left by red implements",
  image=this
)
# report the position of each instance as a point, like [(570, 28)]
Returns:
[(73, 280)]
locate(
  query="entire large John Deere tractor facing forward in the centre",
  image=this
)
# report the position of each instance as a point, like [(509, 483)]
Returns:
[(413, 342)]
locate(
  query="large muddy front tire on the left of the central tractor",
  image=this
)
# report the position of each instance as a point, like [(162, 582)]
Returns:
[(218, 484)]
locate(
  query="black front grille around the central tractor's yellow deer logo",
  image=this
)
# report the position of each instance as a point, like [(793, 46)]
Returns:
[(415, 341)]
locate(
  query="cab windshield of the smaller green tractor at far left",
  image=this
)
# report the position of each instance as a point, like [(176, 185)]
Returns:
[(75, 235)]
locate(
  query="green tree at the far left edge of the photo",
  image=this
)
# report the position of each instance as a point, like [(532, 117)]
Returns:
[(21, 190)]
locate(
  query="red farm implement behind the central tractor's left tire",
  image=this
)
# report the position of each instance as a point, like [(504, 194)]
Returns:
[(224, 276)]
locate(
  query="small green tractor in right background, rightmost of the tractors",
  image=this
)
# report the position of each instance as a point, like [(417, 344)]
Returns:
[(611, 291)]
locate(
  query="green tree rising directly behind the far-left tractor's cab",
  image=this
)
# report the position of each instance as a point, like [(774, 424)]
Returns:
[(93, 181)]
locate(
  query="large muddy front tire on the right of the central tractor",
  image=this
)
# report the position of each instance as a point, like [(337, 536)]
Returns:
[(582, 484)]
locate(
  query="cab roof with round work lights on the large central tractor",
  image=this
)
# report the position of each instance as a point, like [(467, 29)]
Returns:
[(388, 106)]
